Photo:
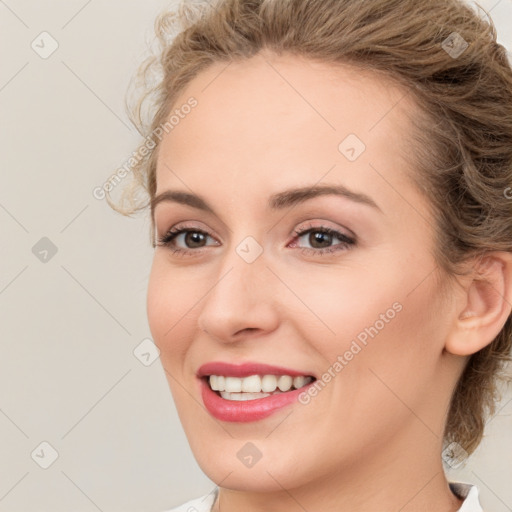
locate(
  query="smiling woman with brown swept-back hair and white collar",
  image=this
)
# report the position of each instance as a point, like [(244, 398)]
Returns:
[(332, 281)]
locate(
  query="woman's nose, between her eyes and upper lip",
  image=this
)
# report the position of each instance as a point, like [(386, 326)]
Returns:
[(242, 301)]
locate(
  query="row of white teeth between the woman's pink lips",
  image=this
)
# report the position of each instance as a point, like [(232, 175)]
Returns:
[(255, 386)]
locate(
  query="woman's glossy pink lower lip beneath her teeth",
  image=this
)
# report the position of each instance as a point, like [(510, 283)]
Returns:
[(247, 410)]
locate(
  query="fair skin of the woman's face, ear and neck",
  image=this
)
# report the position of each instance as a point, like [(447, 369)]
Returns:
[(372, 438)]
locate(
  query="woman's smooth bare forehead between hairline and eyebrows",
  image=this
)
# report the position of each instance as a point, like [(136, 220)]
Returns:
[(270, 120)]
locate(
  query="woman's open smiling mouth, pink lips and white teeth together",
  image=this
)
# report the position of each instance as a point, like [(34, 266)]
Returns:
[(251, 391)]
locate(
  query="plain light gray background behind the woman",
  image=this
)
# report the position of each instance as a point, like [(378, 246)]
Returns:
[(69, 326)]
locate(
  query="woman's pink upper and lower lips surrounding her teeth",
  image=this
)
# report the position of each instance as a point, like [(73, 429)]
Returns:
[(249, 410)]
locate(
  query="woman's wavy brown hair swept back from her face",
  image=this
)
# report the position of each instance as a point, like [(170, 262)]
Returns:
[(460, 77)]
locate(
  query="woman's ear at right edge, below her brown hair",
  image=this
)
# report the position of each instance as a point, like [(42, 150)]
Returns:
[(486, 303)]
